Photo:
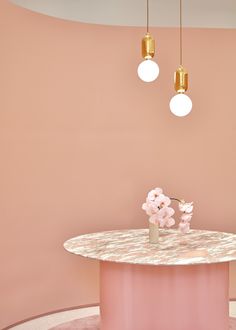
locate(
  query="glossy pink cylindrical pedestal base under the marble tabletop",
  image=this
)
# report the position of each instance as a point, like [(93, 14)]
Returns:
[(143, 297)]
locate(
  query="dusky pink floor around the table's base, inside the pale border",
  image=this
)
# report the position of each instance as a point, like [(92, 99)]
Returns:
[(92, 323)]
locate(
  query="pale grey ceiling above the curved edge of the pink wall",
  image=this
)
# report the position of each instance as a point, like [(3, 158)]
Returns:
[(163, 13)]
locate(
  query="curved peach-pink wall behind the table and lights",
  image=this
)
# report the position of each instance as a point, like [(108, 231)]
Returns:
[(82, 140)]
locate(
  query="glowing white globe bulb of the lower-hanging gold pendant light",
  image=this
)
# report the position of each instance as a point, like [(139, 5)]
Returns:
[(180, 105)]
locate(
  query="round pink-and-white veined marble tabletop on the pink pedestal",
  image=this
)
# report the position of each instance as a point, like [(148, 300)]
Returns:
[(132, 246)]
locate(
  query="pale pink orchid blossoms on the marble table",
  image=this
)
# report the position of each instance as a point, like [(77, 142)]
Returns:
[(158, 208)]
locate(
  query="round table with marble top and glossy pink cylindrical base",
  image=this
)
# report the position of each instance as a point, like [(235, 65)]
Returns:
[(181, 283)]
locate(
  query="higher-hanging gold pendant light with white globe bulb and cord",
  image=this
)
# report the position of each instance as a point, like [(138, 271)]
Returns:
[(148, 70)]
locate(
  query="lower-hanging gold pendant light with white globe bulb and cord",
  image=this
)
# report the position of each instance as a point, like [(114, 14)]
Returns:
[(181, 104)]
